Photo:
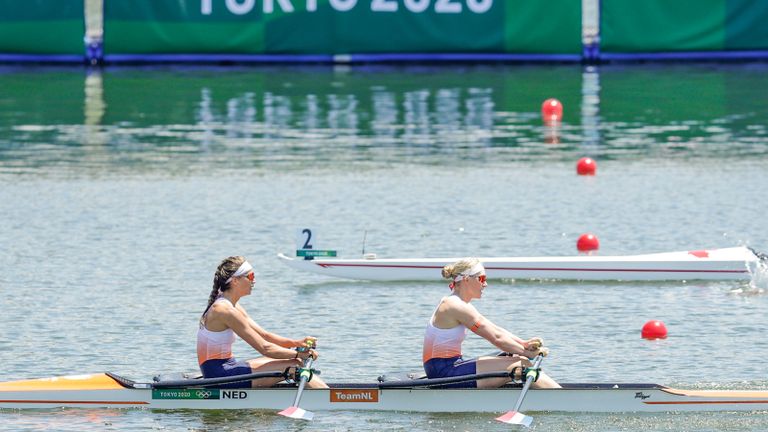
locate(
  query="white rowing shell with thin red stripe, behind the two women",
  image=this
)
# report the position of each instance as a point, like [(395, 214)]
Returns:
[(713, 264)]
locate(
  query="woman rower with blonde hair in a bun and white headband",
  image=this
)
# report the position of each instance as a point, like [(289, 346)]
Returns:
[(448, 326)]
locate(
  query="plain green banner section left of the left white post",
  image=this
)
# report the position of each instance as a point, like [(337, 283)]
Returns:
[(42, 26)]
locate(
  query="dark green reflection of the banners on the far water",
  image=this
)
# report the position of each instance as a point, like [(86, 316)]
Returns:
[(182, 119)]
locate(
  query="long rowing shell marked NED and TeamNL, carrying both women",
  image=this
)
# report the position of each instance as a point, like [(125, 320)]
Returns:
[(109, 390)]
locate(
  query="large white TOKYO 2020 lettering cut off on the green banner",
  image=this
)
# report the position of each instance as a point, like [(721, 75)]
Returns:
[(242, 7)]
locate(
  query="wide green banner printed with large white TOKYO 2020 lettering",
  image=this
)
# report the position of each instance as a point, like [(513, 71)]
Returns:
[(341, 26)]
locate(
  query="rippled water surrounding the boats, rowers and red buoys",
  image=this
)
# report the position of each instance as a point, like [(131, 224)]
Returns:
[(121, 191)]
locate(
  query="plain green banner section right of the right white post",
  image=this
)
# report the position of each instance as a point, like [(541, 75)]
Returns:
[(683, 25)]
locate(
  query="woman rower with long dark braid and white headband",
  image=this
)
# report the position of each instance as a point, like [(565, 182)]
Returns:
[(224, 318)]
